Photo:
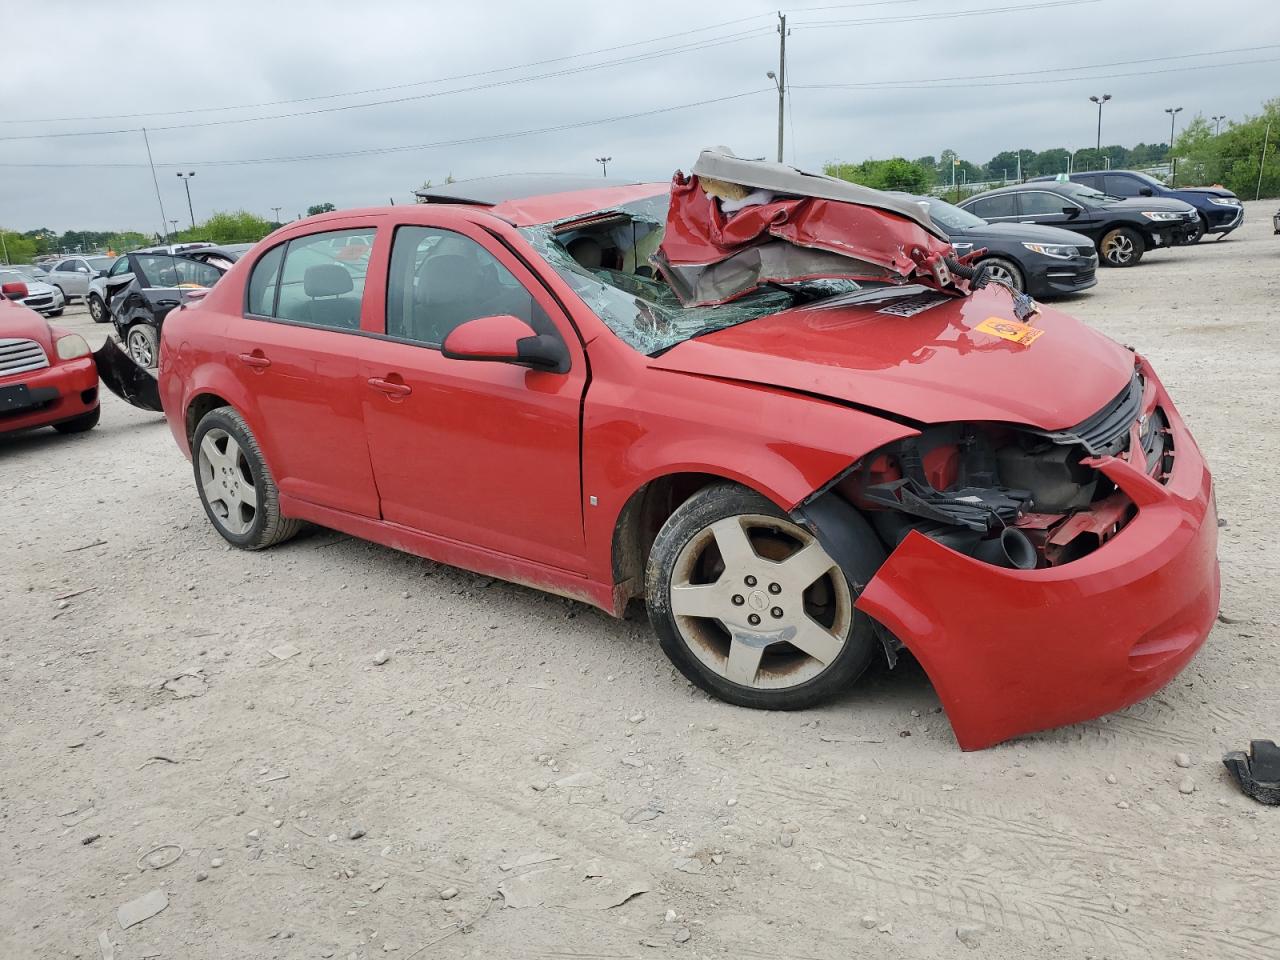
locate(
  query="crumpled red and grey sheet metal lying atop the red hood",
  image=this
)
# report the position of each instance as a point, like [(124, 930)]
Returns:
[(737, 226)]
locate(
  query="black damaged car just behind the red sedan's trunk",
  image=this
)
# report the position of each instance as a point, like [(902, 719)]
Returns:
[(140, 296)]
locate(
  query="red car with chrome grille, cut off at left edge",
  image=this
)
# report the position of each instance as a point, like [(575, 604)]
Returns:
[(47, 374)]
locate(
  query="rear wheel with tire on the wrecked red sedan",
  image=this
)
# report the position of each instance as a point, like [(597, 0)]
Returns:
[(235, 484)]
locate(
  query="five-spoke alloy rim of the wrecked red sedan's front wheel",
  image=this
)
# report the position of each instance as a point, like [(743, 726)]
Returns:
[(758, 601)]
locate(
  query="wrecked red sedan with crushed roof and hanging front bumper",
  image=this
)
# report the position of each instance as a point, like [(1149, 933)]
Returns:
[(775, 406)]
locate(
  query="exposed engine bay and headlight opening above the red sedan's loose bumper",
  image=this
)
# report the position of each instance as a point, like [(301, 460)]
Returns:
[(1012, 496)]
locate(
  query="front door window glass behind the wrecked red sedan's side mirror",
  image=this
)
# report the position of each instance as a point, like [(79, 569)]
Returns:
[(441, 280)]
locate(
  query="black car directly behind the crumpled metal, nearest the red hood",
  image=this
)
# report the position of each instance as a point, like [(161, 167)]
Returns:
[(1043, 262)]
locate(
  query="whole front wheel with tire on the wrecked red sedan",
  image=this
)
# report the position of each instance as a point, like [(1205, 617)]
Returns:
[(751, 607)]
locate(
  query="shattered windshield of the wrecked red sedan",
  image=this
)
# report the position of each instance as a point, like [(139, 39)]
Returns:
[(605, 258)]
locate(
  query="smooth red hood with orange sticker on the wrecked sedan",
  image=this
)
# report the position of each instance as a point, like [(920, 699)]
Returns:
[(934, 367)]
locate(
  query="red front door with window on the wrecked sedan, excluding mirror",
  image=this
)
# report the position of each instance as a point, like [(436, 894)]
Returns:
[(486, 454)]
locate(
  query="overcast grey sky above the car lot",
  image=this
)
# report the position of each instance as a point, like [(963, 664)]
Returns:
[(67, 60)]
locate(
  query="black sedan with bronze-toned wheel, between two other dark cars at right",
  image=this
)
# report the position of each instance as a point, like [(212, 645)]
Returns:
[(1122, 230)]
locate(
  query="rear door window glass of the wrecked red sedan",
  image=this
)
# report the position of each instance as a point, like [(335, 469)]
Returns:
[(323, 278)]
